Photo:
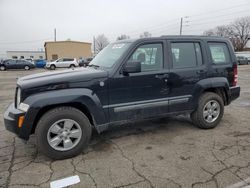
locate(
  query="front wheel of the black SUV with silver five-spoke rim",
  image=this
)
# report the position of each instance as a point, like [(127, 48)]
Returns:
[(45, 132)]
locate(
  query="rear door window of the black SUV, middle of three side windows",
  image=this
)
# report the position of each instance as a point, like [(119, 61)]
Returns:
[(186, 54)]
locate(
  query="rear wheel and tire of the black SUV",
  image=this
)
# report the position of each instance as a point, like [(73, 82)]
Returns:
[(203, 110)]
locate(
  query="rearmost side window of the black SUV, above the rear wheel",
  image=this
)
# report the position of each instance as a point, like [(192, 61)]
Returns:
[(219, 53)]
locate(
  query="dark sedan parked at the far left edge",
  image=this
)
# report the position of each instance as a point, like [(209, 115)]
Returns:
[(16, 64)]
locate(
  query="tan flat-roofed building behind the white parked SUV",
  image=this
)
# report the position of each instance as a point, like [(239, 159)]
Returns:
[(71, 49)]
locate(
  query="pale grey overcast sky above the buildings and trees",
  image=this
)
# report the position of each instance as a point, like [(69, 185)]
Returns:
[(27, 24)]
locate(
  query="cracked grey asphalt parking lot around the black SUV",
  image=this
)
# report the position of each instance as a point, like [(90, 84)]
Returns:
[(160, 153)]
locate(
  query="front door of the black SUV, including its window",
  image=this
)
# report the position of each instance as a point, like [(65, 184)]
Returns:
[(144, 94)]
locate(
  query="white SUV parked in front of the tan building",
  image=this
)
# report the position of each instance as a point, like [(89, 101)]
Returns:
[(62, 63)]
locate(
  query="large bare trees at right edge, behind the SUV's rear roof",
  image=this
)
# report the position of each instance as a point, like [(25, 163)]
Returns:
[(238, 32)]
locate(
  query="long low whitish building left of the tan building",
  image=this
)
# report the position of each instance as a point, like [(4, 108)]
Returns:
[(25, 54)]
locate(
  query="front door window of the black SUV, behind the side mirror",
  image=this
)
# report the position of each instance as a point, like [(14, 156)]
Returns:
[(150, 56)]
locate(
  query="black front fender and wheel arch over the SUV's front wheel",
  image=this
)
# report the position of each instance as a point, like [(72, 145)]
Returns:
[(82, 99)]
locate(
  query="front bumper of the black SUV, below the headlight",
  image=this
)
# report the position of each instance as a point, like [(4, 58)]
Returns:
[(11, 116)]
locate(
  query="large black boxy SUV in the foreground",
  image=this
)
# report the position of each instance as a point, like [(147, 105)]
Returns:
[(127, 81)]
